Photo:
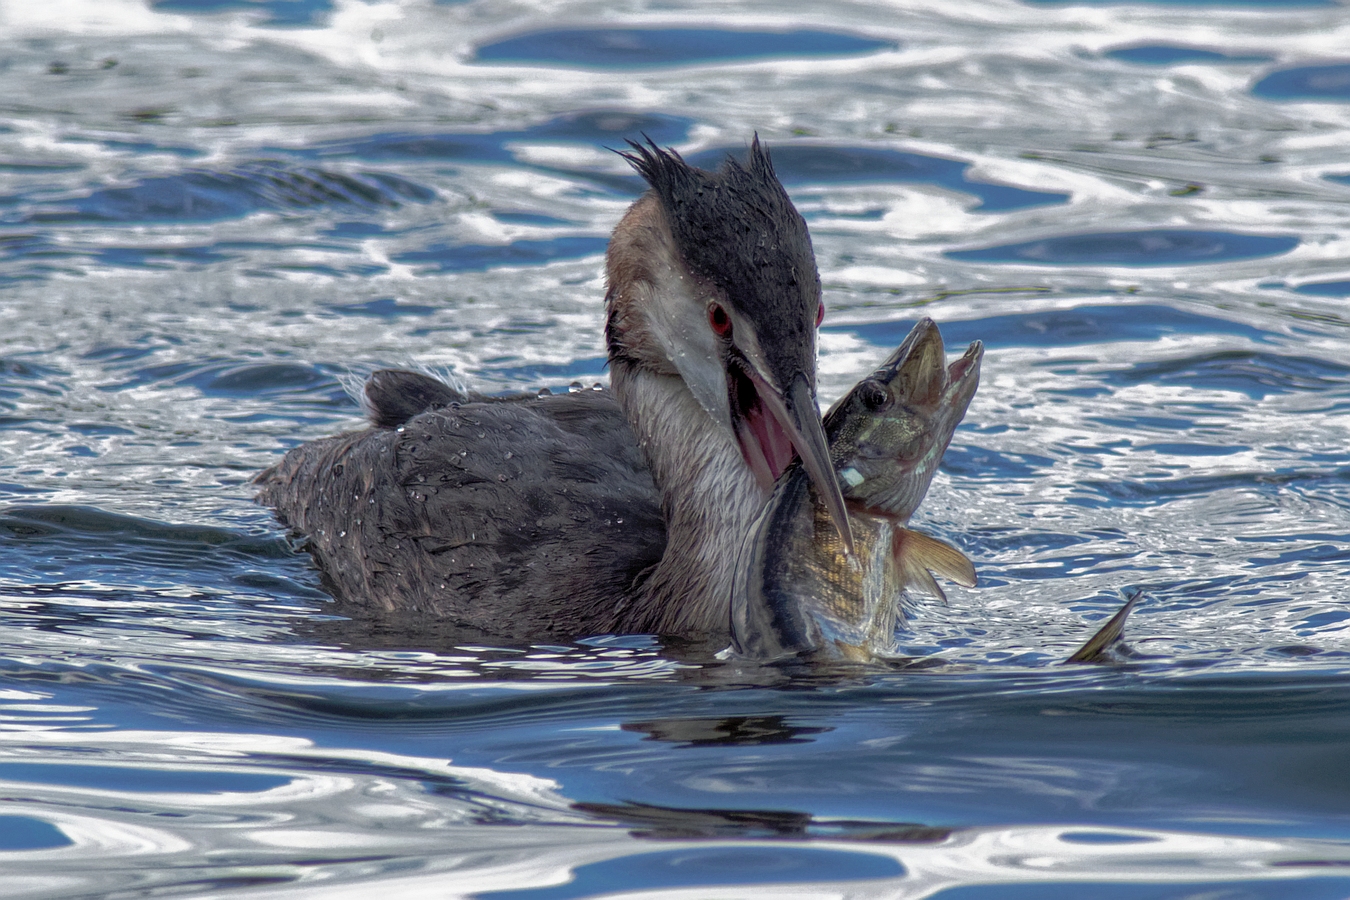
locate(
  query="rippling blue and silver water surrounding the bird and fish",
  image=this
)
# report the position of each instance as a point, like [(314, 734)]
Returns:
[(218, 218)]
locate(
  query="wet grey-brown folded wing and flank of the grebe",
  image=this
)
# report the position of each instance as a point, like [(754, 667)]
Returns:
[(520, 519)]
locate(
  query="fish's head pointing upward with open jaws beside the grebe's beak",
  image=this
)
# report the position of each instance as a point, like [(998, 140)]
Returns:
[(889, 434)]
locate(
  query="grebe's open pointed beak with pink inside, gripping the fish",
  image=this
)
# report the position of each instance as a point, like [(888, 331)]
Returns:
[(793, 416)]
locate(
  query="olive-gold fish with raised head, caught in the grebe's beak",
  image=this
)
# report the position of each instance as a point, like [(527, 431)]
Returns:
[(799, 590)]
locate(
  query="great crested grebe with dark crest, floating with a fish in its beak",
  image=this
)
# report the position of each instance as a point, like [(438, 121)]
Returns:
[(595, 512)]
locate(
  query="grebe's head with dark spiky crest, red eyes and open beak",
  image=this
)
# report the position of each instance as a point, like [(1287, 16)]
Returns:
[(712, 280)]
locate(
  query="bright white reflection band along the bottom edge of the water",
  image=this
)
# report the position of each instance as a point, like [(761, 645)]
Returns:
[(345, 821)]
